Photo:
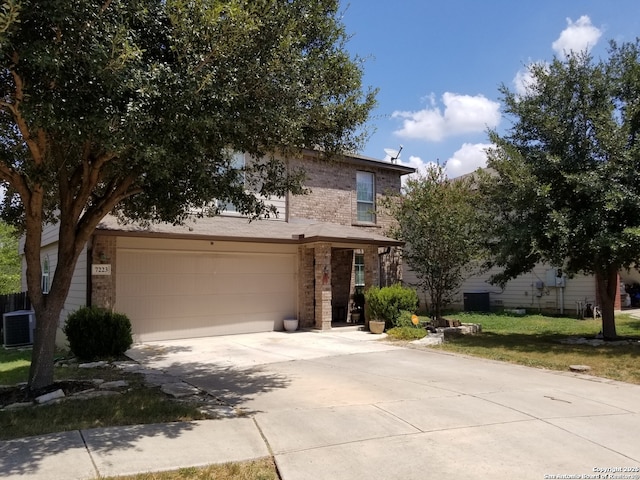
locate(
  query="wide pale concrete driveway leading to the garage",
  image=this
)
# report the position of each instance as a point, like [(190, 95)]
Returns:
[(343, 405)]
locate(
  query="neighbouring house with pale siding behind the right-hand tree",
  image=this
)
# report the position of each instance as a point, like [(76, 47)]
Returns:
[(544, 289)]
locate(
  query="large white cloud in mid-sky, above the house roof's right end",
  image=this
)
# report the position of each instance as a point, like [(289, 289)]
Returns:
[(462, 114)]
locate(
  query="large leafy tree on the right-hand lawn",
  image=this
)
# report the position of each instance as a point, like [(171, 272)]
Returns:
[(565, 188)]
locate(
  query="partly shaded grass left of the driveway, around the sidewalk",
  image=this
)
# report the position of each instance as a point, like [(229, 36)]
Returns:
[(141, 404)]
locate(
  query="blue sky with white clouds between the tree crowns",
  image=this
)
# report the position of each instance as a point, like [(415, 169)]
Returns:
[(439, 64)]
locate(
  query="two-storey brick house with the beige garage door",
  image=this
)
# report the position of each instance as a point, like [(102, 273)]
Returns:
[(225, 275)]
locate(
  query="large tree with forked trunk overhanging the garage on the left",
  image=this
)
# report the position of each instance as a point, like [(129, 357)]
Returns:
[(134, 107)]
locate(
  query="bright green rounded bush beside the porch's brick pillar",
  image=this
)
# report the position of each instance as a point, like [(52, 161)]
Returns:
[(387, 303)]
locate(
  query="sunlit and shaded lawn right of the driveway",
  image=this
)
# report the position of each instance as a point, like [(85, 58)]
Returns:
[(534, 340)]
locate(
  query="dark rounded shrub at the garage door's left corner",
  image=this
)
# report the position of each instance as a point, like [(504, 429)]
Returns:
[(97, 333)]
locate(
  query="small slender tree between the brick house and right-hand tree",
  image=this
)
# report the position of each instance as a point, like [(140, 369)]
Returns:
[(437, 218)]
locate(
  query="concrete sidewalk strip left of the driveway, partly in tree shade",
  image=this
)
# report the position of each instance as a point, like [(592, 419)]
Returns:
[(114, 451)]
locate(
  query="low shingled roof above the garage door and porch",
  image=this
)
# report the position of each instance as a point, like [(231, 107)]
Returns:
[(239, 229)]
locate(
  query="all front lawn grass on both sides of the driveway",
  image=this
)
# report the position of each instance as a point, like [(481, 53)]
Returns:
[(532, 340)]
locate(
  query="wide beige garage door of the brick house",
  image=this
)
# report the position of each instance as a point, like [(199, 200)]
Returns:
[(171, 295)]
